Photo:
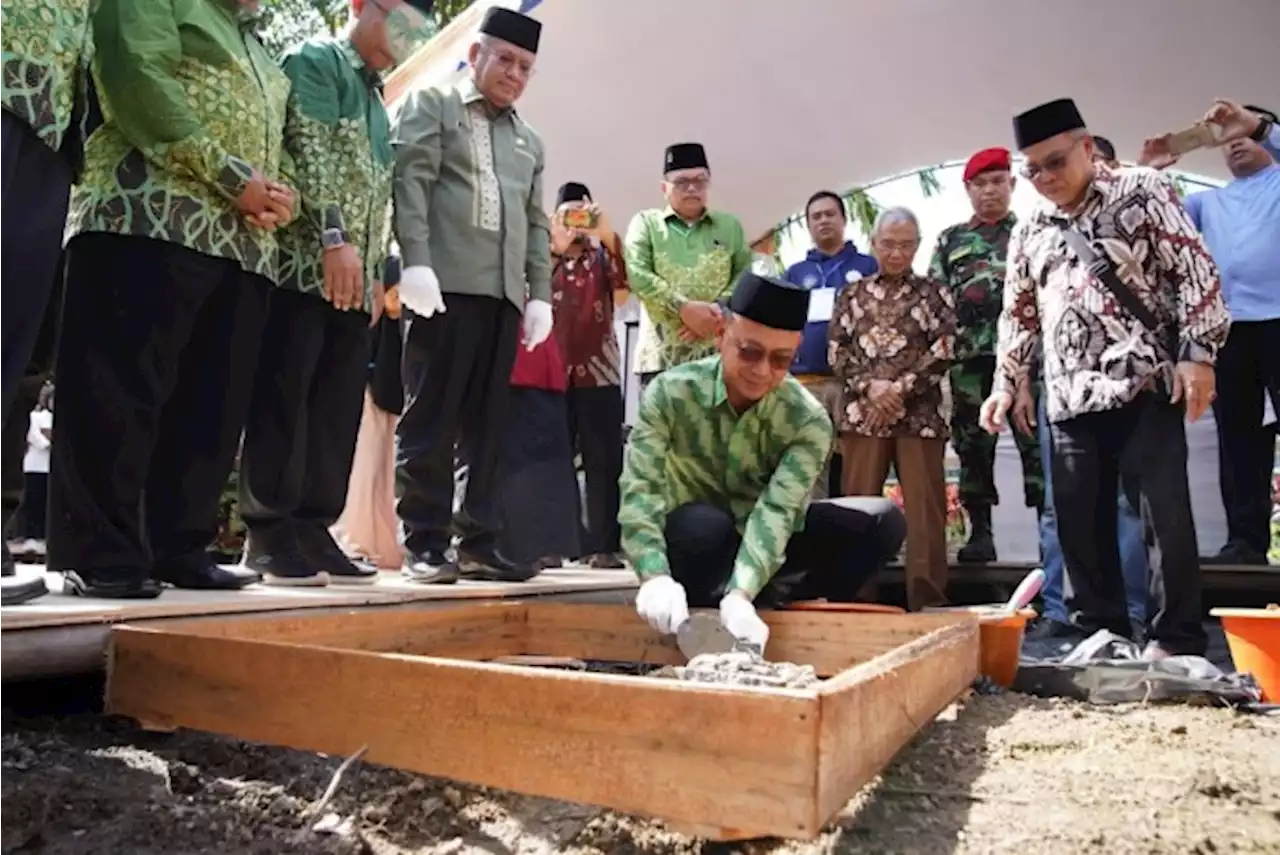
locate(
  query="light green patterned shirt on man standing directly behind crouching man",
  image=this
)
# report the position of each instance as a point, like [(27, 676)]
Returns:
[(671, 262)]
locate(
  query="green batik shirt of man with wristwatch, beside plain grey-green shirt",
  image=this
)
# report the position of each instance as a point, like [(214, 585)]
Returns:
[(339, 138)]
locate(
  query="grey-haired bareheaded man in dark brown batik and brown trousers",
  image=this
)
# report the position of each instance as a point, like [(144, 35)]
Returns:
[(892, 342)]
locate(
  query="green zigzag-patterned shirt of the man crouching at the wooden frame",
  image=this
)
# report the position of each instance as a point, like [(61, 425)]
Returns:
[(689, 445)]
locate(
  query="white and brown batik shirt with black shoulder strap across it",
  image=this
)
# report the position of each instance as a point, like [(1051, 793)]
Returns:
[(1098, 355)]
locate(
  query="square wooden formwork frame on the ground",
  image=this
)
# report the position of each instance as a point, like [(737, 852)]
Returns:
[(418, 689)]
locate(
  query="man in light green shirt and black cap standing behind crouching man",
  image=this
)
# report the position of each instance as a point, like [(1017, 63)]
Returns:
[(682, 260)]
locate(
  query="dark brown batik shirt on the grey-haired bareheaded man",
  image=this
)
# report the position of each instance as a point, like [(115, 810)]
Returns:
[(899, 330)]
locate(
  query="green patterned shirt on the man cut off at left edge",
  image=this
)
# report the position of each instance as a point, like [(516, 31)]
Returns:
[(45, 48)]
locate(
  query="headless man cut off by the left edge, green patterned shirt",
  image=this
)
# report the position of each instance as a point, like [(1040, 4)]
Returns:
[(44, 51)]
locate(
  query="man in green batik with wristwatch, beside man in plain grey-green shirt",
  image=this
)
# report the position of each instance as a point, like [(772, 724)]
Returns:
[(300, 438)]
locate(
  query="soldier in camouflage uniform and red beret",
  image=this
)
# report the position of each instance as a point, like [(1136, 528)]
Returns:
[(971, 258)]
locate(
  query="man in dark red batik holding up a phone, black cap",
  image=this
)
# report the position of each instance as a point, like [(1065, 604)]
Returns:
[(588, 281)]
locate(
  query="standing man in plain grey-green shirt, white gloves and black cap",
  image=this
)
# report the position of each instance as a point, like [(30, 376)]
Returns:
[(477, 248)]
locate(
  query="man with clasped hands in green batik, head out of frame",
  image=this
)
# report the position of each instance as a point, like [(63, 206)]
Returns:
[(170, 268)]
